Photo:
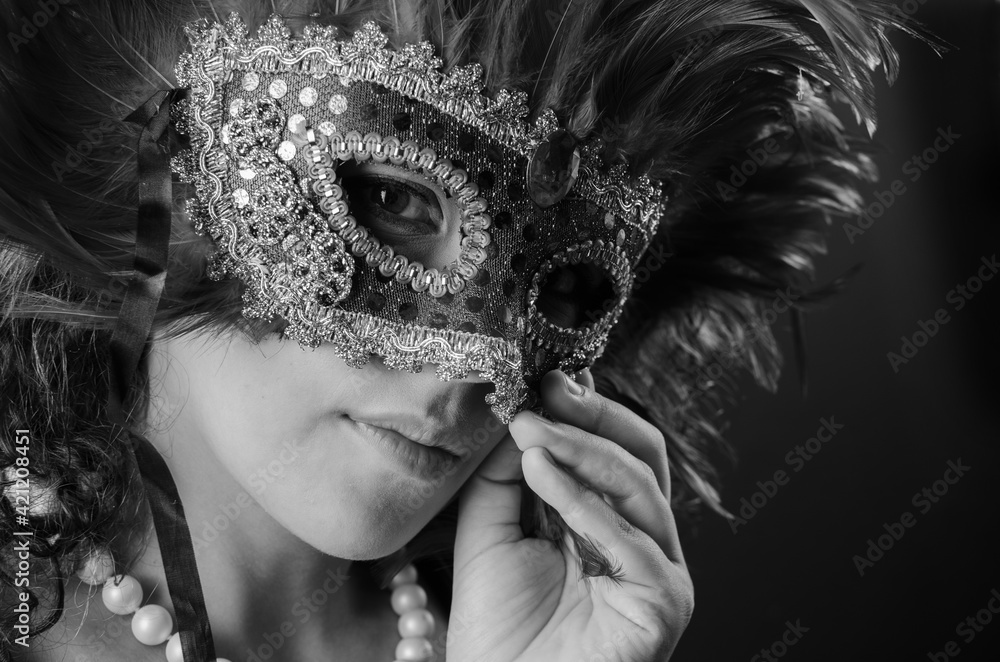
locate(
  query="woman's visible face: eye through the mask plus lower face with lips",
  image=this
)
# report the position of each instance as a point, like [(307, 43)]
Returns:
[(339, 456)]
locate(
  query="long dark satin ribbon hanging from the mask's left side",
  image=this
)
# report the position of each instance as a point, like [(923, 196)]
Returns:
[(128, 340)]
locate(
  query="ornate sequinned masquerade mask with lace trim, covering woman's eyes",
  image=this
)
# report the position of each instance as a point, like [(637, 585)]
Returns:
[(387, 208)]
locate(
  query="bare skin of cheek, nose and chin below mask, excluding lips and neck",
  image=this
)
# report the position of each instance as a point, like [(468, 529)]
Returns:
[(277, 420)]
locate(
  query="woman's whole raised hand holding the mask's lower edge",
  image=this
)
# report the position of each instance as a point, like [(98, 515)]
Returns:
[(518, 599)]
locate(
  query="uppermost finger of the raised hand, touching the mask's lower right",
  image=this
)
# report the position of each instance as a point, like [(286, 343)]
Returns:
[(578, 405)]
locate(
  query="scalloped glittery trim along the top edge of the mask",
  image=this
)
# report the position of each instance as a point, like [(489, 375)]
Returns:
[(415, 71)]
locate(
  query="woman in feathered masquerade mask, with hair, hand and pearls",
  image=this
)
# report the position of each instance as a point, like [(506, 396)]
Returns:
[(637, 183)]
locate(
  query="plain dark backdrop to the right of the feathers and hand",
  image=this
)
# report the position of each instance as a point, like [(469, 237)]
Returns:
[(793, 560)]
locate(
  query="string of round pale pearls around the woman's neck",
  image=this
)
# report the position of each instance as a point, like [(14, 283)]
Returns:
[(152, 624)]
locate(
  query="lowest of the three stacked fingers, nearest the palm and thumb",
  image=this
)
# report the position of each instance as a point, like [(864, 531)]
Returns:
[(588, 514)]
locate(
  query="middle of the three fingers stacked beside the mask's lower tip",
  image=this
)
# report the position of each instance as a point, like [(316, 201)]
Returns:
[(628, 483)]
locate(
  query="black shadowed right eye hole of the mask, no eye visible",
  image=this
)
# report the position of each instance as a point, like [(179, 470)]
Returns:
[(574, 295)]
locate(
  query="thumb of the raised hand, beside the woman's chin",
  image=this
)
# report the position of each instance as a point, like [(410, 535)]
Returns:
[(489, 506)]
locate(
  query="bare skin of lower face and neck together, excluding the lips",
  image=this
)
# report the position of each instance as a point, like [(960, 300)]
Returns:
[(231, 409)]
